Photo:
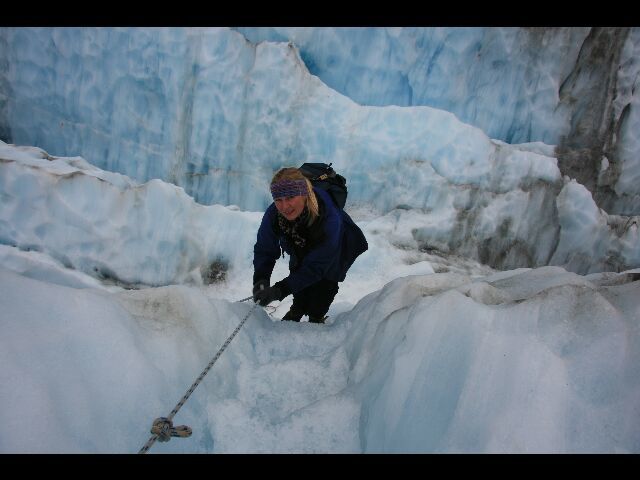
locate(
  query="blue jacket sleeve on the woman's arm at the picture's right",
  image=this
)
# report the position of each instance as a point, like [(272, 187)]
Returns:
[(319, 260)]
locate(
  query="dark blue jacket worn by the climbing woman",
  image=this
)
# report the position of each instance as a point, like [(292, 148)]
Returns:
[(338, 242)]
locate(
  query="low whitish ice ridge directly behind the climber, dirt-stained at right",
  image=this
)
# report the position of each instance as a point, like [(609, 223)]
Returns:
[(106, 225)]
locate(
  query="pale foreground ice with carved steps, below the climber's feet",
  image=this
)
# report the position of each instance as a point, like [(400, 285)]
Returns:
[(524, 361)]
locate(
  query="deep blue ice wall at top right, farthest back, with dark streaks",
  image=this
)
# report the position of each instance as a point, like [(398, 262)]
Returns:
[(568, 86)]
